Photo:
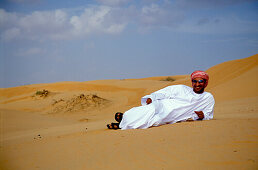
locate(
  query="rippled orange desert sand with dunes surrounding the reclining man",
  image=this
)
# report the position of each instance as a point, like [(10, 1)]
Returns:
[(64, 127)]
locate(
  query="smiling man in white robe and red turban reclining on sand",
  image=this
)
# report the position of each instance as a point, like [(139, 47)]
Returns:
[(170, 105)]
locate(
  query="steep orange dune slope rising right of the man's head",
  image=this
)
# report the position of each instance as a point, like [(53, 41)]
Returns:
[(234, 79)]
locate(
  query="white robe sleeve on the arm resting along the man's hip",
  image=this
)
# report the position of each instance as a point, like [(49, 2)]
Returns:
[(165, 93)]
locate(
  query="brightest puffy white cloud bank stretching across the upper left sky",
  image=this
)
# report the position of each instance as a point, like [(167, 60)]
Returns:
[(59, 24)]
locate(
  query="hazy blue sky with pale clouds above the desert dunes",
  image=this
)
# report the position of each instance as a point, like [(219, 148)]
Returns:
[(45, 41)]
